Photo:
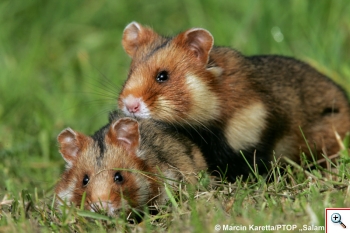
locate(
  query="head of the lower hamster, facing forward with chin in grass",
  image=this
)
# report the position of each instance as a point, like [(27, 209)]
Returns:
[(104, 169)]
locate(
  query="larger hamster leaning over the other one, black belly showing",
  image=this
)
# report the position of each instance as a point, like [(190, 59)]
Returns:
[(230, 104)]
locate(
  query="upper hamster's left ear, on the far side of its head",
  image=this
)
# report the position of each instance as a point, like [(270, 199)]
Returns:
[(134, 36)]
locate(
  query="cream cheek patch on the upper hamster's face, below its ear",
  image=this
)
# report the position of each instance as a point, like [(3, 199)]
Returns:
[(205, 102)]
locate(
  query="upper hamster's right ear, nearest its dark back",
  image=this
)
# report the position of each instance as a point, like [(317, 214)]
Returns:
[(198, 40)]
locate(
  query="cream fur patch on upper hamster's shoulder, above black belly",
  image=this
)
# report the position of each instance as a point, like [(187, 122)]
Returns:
[(245, 127)]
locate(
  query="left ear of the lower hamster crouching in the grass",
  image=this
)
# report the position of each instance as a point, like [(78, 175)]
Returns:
[(69, 144)]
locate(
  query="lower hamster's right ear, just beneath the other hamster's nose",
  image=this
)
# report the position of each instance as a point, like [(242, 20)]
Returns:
[(125, 132)]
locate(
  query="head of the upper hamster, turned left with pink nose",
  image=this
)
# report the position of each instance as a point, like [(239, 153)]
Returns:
[(169, 78)]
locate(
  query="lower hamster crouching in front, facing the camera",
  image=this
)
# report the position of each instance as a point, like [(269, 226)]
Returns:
[(124, 165)]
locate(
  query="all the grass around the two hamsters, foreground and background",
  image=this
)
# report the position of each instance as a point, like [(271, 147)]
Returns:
[(54, 57)]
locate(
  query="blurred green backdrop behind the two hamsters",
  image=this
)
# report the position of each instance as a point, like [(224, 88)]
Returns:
[(62, 63)]
